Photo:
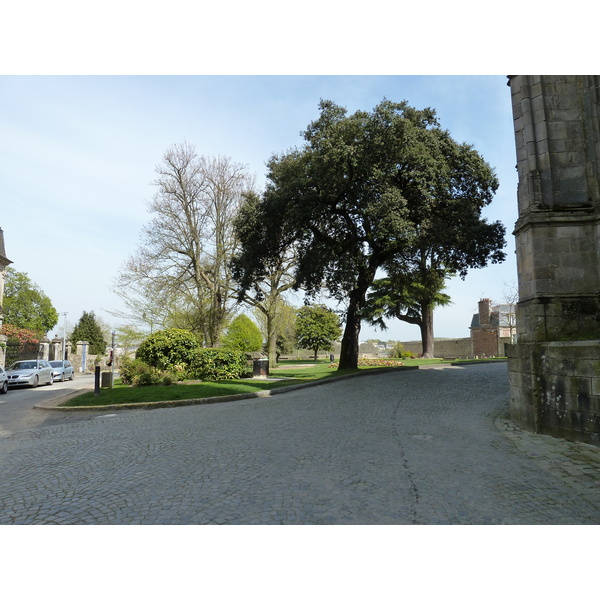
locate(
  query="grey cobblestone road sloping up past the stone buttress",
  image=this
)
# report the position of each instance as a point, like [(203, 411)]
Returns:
[(431, 446)]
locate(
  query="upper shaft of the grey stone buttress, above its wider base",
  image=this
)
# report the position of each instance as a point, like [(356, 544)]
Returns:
[(557, 133)]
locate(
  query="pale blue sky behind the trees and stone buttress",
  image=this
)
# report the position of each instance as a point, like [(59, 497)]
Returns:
[(77, 159)]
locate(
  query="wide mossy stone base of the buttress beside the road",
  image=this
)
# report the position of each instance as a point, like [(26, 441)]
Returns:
[(555, 388)]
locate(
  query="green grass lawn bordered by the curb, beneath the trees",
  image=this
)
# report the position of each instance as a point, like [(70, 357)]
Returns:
[(291, 372)]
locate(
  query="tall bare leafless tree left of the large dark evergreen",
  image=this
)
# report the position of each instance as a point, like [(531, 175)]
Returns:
[(186, 248)]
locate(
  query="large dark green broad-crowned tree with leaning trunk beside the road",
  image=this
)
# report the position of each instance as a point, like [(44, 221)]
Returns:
[(362, 192)]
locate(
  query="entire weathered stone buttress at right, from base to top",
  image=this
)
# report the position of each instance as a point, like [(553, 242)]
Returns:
[(555, 366)]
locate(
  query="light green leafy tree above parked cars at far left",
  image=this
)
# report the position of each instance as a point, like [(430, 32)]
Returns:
[(25, 304)]
